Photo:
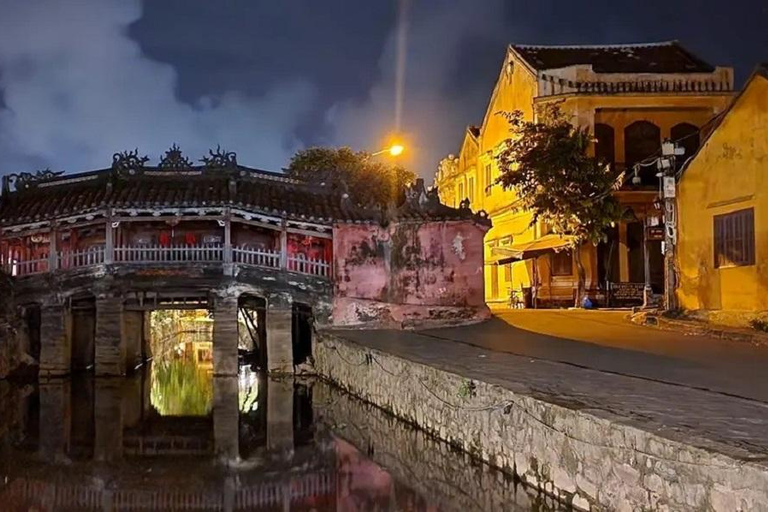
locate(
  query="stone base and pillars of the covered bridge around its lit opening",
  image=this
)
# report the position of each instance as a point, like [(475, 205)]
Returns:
[(97, 321)]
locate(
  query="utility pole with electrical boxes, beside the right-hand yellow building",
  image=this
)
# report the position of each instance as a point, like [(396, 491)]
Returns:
[(668, 192)]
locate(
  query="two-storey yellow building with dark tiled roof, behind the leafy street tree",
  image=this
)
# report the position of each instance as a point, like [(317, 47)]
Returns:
[(632, 97)]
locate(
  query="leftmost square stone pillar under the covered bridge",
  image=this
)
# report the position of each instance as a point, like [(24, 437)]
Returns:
[(55, 348)]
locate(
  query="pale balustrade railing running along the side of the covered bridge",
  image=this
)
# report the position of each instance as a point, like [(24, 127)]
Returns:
[(139, 255)]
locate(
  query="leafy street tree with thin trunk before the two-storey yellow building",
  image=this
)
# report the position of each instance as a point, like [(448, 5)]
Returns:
[(549, 166)]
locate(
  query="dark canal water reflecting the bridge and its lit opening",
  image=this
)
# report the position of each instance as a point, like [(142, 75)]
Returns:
[(174, 437)]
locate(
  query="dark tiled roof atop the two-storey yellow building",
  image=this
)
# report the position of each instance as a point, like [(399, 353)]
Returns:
[(666, 57)]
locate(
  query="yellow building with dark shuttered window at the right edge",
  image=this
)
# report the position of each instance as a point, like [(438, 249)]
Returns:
[(723, 221)]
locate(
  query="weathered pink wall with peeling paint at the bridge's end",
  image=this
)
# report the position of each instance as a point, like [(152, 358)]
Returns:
[(383, 275)]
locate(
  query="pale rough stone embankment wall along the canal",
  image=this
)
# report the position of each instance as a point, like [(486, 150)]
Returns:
[(579, 456)]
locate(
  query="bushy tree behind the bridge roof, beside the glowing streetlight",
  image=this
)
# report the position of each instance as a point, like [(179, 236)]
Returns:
[(371, 180)]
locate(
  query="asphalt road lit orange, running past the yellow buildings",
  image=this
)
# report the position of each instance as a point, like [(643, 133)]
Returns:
[(605, 341)]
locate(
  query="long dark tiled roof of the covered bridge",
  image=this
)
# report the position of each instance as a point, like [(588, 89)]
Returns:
[(258, 191)]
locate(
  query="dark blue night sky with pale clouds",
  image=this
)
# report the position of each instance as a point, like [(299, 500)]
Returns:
[(81, 79)]
